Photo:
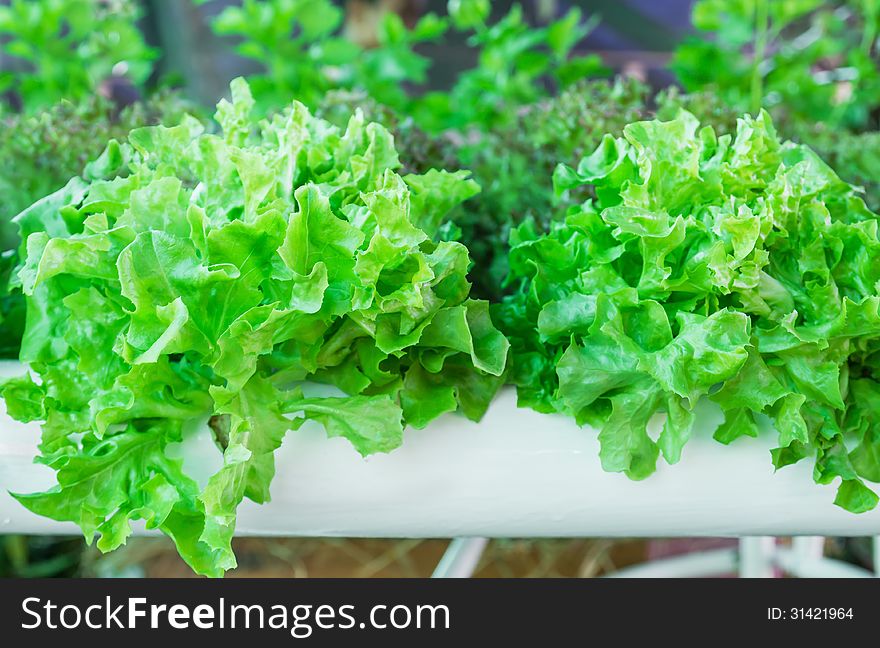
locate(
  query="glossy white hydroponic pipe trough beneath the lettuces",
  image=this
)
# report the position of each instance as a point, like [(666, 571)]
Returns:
[(516, 474)]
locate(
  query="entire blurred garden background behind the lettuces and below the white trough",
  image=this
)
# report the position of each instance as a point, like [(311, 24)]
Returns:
[(505, 89)]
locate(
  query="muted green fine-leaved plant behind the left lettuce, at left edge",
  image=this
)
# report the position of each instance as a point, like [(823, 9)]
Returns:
[(40, 153)]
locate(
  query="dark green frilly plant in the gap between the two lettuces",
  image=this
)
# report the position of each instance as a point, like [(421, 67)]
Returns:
[(515, 160)]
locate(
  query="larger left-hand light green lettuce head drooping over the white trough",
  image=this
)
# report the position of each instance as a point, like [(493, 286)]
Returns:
[(209, 279)]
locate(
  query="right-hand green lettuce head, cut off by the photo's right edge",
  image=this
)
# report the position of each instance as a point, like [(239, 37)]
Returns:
[(737, 268)]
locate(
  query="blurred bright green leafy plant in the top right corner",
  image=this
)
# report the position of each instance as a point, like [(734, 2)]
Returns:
[(806, 61)]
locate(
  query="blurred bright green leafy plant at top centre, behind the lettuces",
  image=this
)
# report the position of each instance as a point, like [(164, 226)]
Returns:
[(305, 53)]
